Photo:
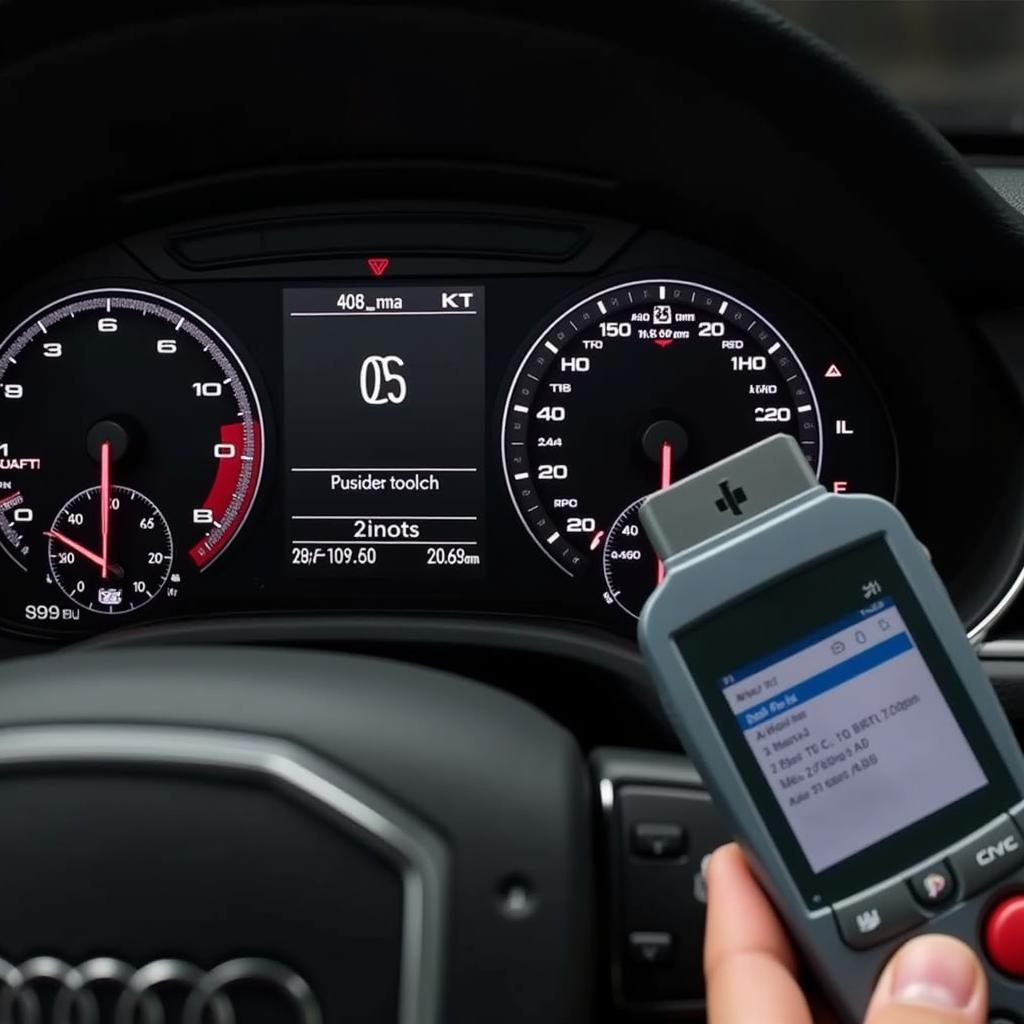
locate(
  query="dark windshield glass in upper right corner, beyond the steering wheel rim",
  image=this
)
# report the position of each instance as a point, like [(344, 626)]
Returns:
[(959, 63)]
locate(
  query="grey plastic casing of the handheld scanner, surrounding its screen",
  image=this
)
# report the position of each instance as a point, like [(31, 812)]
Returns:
[(715, 556)]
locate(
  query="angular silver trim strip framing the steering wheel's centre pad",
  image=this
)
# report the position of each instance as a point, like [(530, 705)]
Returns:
[(362, 812)]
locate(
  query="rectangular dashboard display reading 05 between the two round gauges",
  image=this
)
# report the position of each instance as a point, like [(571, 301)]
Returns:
[(385, 432)]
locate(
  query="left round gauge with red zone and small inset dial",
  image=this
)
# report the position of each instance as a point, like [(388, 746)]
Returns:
[(130, 432)]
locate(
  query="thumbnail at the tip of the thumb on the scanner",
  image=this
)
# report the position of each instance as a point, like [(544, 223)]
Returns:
[(935, 971)]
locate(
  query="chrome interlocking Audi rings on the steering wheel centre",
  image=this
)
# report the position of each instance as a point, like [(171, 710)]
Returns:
[(137, 996)]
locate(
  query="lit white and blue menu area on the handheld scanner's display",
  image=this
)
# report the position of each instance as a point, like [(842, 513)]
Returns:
[(852, 715)]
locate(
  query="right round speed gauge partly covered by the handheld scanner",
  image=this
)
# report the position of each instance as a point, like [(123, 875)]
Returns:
[(644, 383)]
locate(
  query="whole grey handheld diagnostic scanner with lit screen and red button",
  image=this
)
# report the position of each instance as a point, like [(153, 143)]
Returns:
[(816, 669)]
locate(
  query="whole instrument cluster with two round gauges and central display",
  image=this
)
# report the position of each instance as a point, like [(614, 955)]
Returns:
[(186, 434)]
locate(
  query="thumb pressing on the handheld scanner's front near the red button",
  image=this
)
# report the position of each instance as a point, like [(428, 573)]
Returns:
[(934, 979)]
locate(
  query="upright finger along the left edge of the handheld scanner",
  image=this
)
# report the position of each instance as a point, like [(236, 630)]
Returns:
[(749, 963)]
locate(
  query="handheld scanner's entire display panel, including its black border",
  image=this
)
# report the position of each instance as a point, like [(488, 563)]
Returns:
[(839, 705)]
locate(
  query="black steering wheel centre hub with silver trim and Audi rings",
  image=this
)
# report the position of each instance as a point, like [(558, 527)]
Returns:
[(242, 835)]
